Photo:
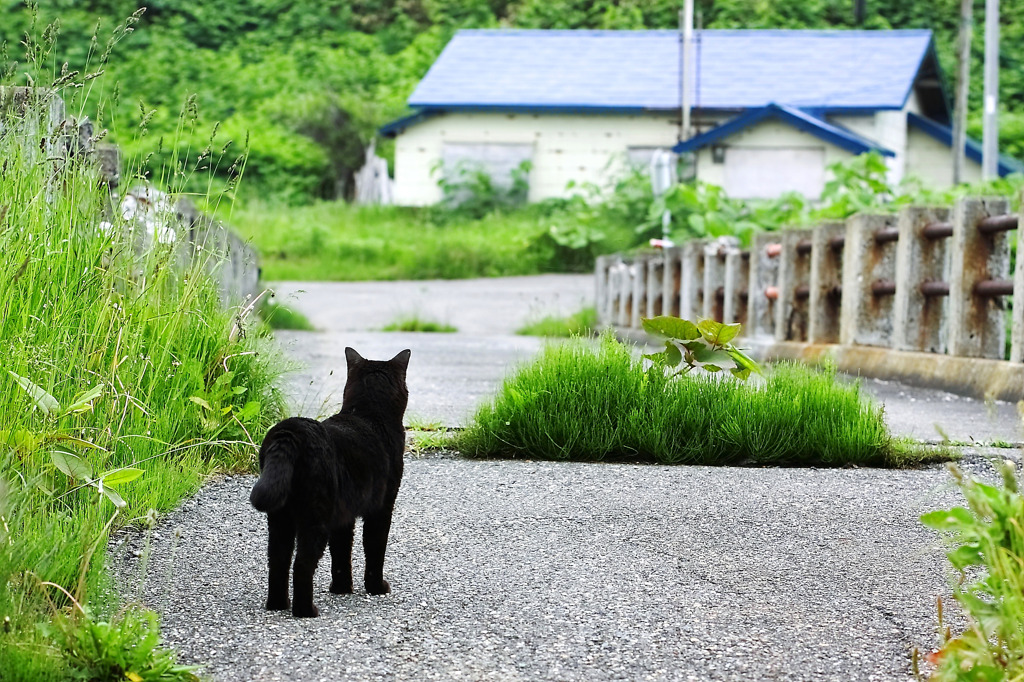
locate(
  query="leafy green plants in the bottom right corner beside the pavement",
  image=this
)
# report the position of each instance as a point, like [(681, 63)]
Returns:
[(988, 553)]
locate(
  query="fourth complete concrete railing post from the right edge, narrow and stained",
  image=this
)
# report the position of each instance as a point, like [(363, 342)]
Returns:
[(825, 302)]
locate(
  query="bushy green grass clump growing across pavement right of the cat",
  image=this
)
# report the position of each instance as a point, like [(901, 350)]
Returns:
[(579, 402)]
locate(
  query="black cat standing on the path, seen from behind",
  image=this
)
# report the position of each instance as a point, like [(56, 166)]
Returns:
[(317, 478)]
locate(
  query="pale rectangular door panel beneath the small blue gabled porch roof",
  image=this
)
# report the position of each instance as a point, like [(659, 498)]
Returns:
[(767, 173)]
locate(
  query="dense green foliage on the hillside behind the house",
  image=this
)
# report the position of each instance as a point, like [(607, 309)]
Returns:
[(307, 84)]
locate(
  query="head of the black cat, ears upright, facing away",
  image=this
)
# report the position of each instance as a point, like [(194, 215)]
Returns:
[(377, 386)]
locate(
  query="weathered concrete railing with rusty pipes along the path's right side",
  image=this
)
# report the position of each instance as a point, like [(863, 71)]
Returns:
[(893, 296)]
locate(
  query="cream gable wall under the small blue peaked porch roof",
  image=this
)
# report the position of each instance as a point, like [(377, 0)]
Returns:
[(770, 135)]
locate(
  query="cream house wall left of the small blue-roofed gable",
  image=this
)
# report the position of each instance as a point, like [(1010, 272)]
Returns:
[(581, 149)]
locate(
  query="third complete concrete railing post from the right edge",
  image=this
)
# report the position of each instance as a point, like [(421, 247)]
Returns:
[(869, 281)]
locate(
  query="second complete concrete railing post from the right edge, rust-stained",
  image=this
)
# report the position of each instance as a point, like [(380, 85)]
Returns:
[(921, 258)]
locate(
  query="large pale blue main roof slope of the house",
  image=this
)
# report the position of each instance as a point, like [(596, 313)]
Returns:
[(639, 70)]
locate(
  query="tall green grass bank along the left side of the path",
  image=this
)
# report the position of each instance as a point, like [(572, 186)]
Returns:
[(167, 390)]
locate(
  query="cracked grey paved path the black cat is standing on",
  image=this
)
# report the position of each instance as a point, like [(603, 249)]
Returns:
[(530, 571)]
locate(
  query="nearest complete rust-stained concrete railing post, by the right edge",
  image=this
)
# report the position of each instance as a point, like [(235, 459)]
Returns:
[(977, 326)]
